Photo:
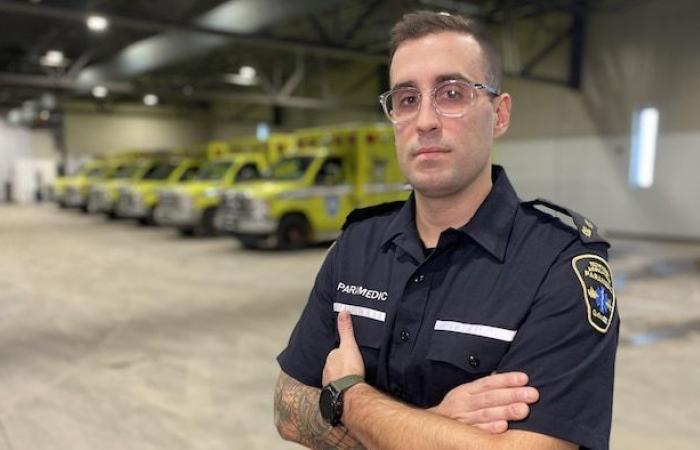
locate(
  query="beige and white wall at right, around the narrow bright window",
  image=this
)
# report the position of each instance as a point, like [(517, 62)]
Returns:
[(573, 148)]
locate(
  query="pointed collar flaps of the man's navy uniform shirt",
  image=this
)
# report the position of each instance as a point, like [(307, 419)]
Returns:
[(490, 227)]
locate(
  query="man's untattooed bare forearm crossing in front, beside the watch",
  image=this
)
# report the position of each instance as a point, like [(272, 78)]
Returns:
[(381, 423)]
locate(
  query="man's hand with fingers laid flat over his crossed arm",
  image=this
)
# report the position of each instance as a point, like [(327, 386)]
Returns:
[(490, 402)]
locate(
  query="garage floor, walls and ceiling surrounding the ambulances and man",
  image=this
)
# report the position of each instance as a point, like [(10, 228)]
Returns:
[(120, 336)]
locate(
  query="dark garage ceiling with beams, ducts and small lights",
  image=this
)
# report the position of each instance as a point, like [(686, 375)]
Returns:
[(189, 53)]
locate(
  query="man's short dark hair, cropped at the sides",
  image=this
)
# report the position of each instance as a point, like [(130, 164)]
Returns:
[(419, 24)]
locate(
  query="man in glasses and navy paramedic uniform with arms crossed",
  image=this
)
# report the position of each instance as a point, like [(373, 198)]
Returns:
[(460, 281)]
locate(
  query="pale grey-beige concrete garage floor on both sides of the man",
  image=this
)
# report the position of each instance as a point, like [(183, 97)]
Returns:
[(114, 336)]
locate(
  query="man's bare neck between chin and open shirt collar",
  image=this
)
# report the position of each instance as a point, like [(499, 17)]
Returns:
[(436, 214)]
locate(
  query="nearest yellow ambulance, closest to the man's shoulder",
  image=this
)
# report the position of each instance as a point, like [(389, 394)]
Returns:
[(305, 197)]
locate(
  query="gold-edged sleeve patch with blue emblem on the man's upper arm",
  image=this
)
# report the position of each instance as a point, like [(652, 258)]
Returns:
[(596, 281)]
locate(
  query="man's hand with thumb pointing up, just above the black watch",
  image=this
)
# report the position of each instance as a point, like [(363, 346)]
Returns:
[(346, 359)]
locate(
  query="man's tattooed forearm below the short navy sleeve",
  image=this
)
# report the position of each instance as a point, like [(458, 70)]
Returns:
[(298, 419)]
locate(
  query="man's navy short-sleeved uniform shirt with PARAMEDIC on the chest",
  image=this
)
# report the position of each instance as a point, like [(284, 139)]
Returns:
[(513, 289)]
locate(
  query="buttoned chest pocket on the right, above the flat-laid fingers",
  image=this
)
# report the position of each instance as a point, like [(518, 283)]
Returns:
[(457, 358)]
